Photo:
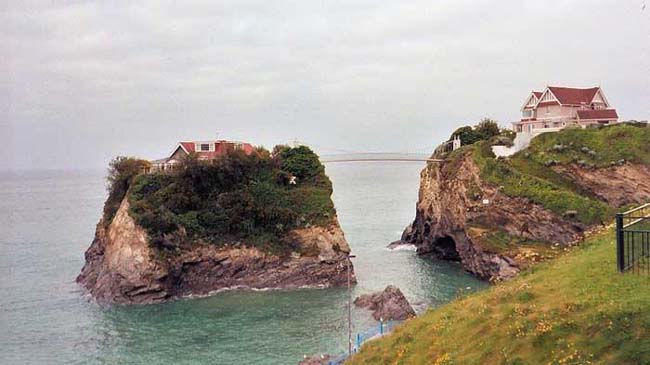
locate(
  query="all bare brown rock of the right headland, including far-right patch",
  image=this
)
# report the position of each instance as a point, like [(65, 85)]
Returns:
[(455, 202)]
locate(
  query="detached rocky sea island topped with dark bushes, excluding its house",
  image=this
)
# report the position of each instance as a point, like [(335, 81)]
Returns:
[(244, 220)]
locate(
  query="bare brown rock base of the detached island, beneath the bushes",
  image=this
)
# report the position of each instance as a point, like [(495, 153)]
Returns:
[(122, 268)]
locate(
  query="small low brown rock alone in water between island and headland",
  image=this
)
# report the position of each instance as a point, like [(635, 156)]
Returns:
[(389, 304)]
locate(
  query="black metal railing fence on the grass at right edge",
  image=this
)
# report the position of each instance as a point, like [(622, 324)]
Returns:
[(633, 240)]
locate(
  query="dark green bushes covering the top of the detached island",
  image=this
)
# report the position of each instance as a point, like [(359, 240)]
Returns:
[(239, 197)]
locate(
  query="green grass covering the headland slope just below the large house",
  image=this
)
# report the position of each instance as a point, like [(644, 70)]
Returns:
[(529, 173)]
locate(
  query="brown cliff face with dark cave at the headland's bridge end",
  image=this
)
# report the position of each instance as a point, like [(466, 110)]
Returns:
[(447, 206)]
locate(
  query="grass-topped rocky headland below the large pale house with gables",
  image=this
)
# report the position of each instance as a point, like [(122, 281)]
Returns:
[(497, 216)]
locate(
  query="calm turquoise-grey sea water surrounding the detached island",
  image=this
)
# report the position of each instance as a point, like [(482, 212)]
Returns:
[(47, 221)]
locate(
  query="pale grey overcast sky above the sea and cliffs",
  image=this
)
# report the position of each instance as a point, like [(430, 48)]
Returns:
[(84, 81)]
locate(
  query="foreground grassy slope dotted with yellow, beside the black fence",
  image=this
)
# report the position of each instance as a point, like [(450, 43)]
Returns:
[(573, 310)]
